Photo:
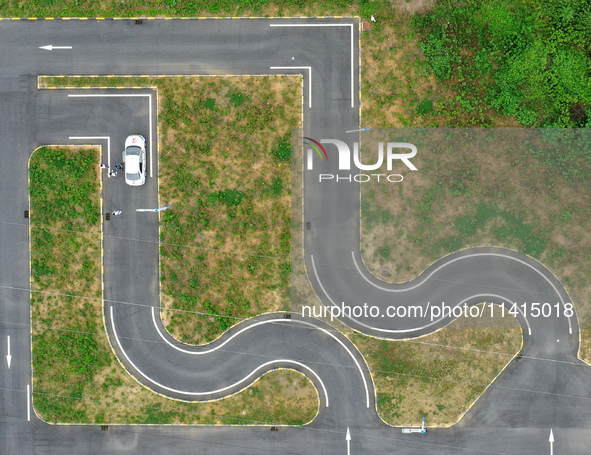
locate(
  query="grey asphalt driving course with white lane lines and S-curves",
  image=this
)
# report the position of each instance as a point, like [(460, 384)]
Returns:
[(547, 388)]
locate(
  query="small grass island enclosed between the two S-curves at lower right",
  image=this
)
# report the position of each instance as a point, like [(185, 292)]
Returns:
[(438, 376)]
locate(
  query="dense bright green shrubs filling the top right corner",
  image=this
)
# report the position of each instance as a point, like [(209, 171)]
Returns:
[(524, 59)]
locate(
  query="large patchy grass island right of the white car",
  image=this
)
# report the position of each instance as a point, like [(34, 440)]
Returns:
[(225, 158)]
